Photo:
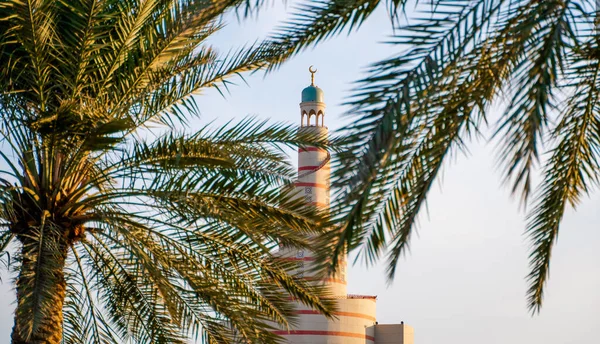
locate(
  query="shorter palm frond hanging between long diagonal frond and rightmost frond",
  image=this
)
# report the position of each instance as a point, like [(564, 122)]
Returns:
[(526, 119)]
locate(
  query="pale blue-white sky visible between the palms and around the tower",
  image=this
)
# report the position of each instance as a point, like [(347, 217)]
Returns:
[(464, 278)]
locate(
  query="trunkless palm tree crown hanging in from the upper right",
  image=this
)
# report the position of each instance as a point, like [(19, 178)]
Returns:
[(539, 60)]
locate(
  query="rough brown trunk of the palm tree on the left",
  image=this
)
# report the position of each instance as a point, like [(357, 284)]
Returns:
[(41, 289)]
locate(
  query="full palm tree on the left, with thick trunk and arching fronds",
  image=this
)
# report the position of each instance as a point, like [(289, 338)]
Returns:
[(121, 233)]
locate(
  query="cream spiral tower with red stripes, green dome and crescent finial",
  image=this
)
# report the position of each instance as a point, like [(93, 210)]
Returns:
[(356, 313)]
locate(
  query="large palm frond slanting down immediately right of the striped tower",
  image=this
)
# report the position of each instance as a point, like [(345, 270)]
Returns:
[(410, 116)]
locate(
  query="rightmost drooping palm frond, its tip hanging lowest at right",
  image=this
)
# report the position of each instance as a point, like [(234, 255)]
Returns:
[(570, 173)]
